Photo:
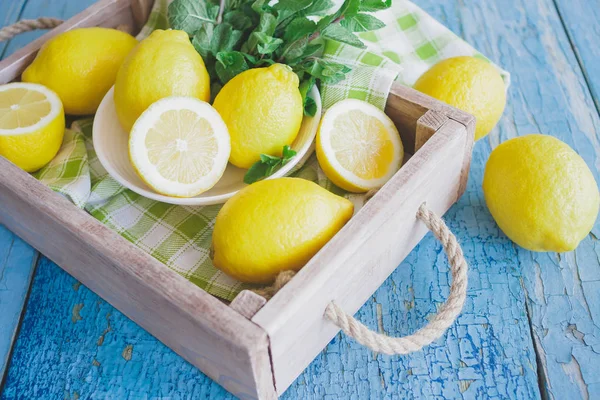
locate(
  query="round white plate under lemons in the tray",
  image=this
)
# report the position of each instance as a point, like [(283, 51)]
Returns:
[(111, 145)]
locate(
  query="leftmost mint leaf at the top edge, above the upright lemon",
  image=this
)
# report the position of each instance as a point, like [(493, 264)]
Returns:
[(191, 15)]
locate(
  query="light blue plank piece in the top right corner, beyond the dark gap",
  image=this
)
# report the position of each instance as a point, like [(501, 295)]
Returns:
[(580, 19)]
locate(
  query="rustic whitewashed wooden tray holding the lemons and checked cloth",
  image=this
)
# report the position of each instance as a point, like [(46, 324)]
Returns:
[(252, 348)]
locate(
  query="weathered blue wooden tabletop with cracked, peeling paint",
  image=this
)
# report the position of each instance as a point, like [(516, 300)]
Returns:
[(531, 324)]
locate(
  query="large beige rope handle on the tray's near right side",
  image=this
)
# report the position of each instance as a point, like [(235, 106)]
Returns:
[(440, 322)]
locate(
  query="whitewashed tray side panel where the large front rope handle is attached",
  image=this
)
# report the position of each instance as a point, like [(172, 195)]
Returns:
[(356, 262)]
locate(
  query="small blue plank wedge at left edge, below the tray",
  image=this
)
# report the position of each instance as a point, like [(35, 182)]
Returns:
[(17, 264)]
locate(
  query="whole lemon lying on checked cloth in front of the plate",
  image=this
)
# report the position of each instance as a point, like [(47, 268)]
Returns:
[(275, 225)]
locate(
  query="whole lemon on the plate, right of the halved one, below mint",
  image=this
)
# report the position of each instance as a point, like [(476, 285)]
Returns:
[(262, 109)]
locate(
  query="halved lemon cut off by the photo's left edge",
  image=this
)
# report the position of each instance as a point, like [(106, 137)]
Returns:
[(32, 124)]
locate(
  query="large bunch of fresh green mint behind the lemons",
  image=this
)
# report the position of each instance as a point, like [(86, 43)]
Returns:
[(235, 35)]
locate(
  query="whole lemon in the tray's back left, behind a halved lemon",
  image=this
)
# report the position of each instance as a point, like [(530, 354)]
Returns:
[(80, 66)]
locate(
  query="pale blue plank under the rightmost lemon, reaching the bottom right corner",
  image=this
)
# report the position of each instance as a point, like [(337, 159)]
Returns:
[(549, 95)]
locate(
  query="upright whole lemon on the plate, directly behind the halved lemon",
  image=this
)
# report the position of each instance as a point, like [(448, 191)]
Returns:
[(162, 65)]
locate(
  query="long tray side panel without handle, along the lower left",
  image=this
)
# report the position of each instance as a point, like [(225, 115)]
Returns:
[(223, 344)]
